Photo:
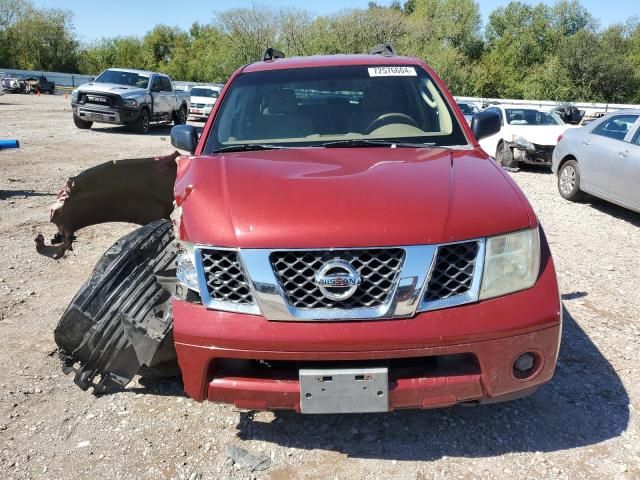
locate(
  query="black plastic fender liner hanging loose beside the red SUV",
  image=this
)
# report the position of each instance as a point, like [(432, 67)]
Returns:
[(120, 323)]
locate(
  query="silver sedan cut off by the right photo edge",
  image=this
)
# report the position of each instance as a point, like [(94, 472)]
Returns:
[(602, 159)]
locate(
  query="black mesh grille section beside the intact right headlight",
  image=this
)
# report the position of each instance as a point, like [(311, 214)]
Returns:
[(453, 272)]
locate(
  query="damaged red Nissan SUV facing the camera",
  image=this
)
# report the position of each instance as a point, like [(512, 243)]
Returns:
[(352, 249)]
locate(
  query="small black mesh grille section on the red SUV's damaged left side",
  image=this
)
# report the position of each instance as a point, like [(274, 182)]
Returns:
[(224, 277)]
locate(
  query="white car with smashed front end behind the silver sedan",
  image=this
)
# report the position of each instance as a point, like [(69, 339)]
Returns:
[(528, 135)]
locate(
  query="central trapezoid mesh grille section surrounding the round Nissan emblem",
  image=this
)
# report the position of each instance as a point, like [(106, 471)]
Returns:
[(378, 268)]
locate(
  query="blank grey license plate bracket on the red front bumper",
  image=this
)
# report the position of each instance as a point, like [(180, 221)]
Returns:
[(344, 390)]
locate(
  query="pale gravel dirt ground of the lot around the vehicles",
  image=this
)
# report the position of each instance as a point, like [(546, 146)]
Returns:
[(583, 424)]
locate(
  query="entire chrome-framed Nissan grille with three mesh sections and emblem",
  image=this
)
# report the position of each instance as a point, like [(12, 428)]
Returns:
[(296, 285)]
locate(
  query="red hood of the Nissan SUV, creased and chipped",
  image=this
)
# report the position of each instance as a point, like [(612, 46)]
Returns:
[(346, 197)]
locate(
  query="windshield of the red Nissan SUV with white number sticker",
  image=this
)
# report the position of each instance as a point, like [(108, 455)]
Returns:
[(313, 106)]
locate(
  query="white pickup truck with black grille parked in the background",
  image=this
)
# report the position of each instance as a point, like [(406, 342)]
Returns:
[(129, 97)]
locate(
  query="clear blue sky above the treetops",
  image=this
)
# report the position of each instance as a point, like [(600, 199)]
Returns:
[(93, 20)]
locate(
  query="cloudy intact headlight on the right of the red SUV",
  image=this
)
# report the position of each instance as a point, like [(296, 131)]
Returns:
[(512, 263)]
